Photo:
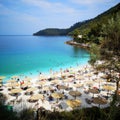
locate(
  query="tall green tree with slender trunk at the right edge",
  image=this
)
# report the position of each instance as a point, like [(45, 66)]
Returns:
[(110, 48)]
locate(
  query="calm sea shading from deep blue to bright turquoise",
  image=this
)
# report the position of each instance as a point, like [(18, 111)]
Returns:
[(34, 54)]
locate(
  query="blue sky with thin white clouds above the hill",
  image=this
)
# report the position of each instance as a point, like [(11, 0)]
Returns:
[(25, 17)]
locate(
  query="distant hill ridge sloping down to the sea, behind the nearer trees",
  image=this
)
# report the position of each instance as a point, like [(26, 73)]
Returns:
[(84, 26)]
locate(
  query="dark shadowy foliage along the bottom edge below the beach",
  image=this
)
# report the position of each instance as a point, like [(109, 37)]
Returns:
[(94, 113)]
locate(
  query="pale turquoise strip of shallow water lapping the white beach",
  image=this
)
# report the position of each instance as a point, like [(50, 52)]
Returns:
[(35, 73)]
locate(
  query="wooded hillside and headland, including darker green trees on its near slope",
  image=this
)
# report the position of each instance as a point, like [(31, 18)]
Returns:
[(88, 28)]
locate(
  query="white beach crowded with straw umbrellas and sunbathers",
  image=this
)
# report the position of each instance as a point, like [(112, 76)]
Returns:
[(72, 88)]
